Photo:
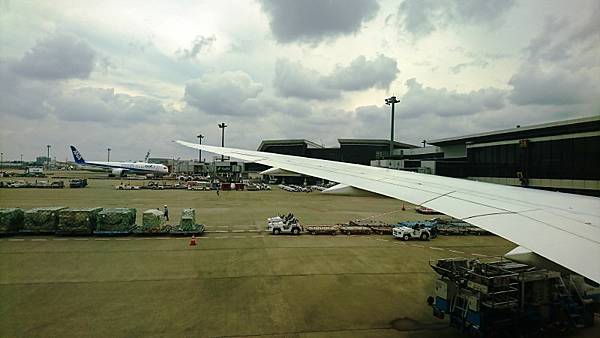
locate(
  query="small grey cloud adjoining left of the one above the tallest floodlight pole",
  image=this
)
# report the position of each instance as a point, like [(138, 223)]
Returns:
[(294, 80)]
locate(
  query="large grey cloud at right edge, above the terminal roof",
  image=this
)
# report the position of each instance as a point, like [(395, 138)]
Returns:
[(561, 65)]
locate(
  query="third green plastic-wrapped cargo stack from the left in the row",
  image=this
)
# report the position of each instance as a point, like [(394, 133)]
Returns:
[(75, 221)]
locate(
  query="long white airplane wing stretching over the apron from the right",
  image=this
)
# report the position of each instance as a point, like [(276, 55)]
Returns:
[(563, 228)]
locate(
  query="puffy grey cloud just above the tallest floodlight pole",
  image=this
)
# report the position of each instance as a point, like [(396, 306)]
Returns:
[(364, 74)]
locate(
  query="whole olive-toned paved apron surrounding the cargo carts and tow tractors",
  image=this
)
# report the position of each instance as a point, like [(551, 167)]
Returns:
[(238, 281)]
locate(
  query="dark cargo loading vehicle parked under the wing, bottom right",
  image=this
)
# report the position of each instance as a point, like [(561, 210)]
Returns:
[(501, 297)]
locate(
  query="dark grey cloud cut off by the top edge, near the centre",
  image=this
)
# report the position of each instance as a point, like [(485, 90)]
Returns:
[(315, 20)]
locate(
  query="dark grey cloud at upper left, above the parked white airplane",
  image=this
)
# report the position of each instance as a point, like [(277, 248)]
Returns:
[(57, 57)]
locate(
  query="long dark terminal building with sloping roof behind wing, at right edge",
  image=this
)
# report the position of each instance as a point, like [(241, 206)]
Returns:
[(563, 156)]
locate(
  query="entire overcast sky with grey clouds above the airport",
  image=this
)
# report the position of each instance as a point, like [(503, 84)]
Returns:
[(135, 75)]
